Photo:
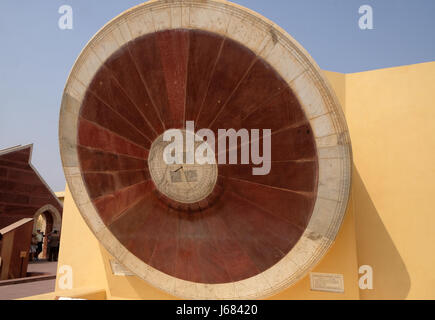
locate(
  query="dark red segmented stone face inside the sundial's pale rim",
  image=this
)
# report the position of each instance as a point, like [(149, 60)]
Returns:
[(245, 223)]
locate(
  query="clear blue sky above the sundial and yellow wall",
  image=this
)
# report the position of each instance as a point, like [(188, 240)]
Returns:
[(36, 55)]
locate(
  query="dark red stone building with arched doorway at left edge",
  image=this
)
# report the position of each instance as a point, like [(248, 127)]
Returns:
[(25, 195)]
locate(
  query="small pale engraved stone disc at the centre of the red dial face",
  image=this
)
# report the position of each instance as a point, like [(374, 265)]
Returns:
[(185, 180)]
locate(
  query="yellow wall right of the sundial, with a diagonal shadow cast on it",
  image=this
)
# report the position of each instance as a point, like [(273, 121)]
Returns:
[(391, 118)]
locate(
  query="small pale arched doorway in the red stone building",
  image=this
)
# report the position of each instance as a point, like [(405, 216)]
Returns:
[(46, 219)]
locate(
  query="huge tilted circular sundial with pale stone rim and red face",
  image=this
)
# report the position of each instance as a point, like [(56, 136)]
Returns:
[(195, 230)]
